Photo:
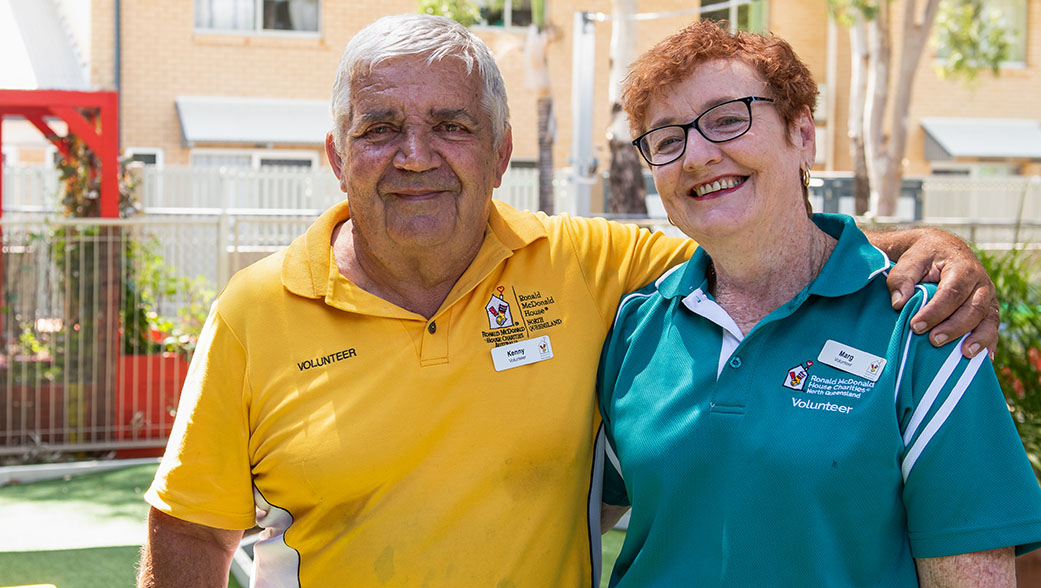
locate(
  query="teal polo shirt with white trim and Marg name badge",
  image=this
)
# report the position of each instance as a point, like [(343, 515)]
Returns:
[(829, 447)]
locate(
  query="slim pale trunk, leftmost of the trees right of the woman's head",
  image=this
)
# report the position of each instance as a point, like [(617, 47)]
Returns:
[(858, 97)]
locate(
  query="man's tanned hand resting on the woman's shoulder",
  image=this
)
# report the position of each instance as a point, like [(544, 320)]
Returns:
[(966, 298)]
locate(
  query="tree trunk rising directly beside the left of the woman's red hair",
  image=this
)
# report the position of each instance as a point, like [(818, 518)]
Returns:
[(626, 192)]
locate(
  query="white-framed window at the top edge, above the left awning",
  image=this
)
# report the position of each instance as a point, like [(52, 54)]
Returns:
[(258, 15)]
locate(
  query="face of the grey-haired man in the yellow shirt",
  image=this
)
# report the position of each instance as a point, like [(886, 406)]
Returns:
[(419, 162)]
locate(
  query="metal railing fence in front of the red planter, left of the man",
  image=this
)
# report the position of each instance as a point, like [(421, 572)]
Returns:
[(97, 327)]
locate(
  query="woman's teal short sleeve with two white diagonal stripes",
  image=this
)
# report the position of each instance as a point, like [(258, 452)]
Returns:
[(969, 484)]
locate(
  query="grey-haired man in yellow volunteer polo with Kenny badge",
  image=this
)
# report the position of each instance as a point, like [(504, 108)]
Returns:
[(404, 397)]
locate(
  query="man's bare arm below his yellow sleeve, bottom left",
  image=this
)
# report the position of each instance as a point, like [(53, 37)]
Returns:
[(181, 554)]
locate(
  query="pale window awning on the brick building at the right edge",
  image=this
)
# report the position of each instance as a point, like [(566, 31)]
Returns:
[(982, 139)]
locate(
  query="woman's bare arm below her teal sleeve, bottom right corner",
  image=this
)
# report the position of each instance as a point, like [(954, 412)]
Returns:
[(996, 569)]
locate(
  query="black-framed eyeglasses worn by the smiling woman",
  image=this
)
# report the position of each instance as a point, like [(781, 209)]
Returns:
[(724, 122)]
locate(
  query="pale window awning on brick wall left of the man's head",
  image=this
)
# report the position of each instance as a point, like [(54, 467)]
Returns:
[(252, 121)]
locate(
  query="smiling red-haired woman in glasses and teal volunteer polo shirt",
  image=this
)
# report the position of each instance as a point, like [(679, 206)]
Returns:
[(776, 422)]
